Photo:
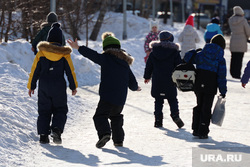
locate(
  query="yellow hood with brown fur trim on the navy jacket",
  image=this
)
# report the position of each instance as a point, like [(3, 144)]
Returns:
[(53, 52)]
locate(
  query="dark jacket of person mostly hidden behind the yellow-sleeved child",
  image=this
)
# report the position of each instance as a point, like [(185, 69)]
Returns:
[(42, 36)]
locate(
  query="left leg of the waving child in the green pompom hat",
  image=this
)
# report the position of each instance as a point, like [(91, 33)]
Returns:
[(101, 118)]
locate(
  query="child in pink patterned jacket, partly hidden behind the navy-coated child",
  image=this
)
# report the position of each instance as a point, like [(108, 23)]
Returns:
[(152, 36)]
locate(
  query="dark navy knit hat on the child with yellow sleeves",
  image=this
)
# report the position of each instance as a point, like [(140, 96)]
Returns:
[(55, 34)]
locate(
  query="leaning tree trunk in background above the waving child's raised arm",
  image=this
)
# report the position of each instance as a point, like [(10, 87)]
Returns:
[(99, 21)]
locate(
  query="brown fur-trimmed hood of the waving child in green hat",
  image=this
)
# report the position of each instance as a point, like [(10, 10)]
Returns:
[(121, 54)]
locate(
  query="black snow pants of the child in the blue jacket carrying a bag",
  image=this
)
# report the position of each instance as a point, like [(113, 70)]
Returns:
[(202, 113)]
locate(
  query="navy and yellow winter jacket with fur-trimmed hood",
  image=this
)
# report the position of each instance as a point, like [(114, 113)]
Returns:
[(49, 66)]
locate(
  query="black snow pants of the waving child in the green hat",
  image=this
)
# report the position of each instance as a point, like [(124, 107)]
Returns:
[(106, 111)]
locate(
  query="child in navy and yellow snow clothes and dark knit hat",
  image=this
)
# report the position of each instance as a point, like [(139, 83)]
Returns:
[(49, 66)]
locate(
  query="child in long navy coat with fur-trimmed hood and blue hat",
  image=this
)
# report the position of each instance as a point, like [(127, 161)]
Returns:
[(162, 60)]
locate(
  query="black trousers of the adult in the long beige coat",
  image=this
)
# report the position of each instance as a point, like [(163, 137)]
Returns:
[(236, 64)]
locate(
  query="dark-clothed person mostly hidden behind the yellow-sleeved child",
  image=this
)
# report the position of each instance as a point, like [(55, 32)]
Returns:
[(43, 33)]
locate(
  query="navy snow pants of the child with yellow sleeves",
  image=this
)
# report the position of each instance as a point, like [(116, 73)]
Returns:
[(52, 112)]
